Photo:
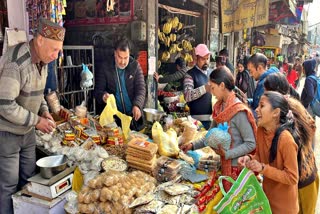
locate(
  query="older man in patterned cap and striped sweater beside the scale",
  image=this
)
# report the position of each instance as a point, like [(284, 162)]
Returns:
[(23, 73)]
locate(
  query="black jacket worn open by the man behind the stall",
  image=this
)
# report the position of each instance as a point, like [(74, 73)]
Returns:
[(105, 81)]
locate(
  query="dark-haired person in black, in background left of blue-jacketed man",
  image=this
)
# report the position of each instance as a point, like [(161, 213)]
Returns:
[(243, 79)]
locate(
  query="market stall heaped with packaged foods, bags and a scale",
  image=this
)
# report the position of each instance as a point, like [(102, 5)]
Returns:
[(110, 169)]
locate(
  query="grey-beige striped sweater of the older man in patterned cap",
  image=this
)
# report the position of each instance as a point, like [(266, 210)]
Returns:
[(21, 90)]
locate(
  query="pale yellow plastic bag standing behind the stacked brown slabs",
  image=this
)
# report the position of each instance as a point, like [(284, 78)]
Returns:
[(167, 141)]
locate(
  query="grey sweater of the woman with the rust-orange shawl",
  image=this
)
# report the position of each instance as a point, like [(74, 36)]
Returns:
[(243, 138)]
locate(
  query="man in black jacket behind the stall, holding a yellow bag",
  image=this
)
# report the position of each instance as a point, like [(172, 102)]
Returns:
[(122, 76)]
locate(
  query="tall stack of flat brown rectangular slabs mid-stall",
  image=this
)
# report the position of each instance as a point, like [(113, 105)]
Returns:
[(141, 154)]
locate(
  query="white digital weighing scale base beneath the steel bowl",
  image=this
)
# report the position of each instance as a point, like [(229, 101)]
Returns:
[(50, 188)]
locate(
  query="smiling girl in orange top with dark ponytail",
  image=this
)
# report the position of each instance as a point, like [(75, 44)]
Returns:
[(277, 150)]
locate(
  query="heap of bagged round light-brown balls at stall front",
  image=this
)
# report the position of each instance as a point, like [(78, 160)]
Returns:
[(113, 192)]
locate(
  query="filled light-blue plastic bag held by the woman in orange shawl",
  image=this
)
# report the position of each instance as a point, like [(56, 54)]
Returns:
[(218, 135)]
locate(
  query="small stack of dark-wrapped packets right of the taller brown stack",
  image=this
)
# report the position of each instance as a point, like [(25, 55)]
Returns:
[(166, 169)]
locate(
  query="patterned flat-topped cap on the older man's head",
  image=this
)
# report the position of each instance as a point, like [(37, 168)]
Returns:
[(51, 30)]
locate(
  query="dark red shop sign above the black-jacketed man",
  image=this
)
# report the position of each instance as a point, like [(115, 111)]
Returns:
[(96, 12)]
